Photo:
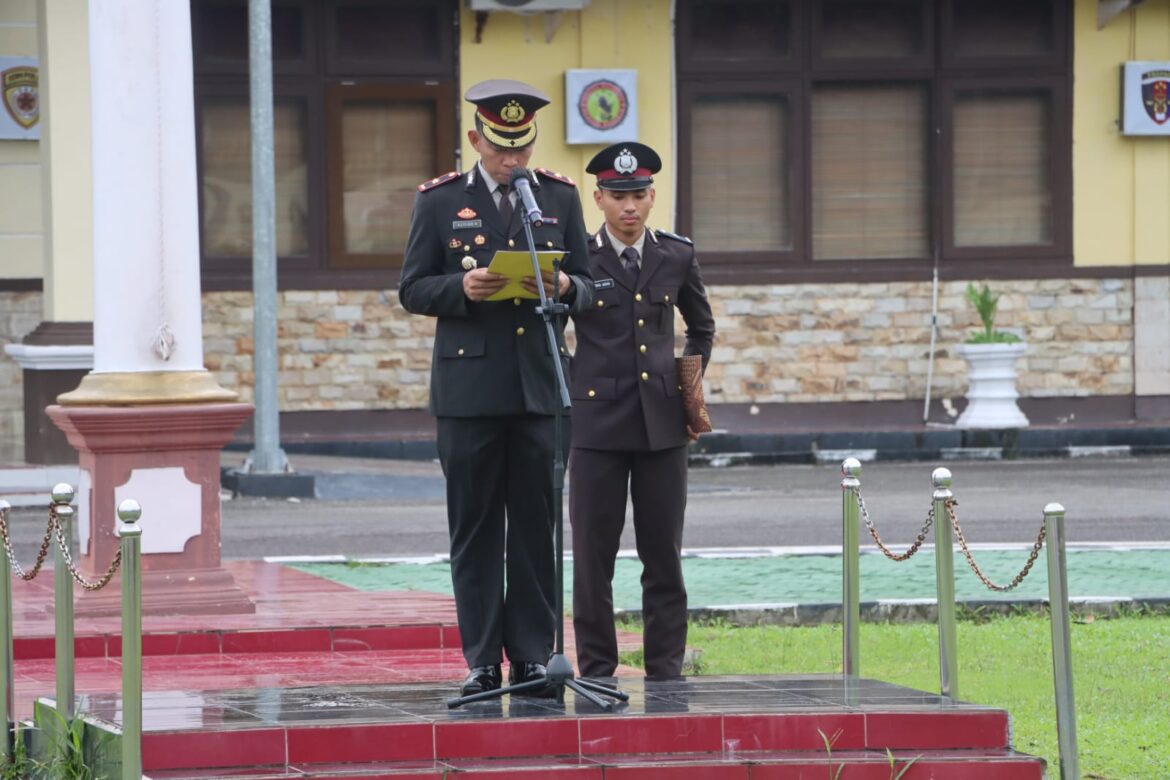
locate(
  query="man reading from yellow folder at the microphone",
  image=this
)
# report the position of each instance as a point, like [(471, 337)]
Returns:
[(493, 383)]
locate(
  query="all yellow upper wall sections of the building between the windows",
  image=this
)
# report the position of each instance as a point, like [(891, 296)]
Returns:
[(1121, 185)]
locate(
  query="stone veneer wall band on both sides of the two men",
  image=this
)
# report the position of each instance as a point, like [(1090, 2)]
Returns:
[(857, 342)]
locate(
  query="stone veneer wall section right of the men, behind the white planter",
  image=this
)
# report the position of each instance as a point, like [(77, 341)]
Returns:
[(872, 342)]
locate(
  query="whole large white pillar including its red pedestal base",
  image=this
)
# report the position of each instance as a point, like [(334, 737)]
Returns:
[(149, 417)]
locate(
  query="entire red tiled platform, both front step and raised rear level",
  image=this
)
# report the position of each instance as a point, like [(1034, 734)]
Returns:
[(328, 682)]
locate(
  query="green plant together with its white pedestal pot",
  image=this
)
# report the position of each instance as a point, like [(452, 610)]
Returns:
[(992, 358)]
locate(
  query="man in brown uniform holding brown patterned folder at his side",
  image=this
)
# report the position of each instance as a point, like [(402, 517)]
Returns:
[(629, 424)]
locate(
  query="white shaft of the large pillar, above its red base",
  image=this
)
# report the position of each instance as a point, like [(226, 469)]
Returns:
[(146, 208)]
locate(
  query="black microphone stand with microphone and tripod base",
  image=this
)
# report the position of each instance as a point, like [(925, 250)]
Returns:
[(560, 672)]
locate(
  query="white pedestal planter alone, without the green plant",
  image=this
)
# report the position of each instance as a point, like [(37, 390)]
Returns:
[(992, 386)]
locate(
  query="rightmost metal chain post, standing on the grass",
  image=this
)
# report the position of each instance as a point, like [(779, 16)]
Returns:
[(1062, 646)]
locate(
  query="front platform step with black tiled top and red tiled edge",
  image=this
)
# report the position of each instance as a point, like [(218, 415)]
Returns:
[(707, 728)]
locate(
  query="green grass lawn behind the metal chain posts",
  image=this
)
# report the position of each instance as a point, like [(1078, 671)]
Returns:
[(1121, 678)]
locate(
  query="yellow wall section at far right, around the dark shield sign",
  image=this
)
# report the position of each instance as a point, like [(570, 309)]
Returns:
[(1121, 185)]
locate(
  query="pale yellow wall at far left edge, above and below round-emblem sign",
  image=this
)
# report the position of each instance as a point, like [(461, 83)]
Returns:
[(20, 162)]
